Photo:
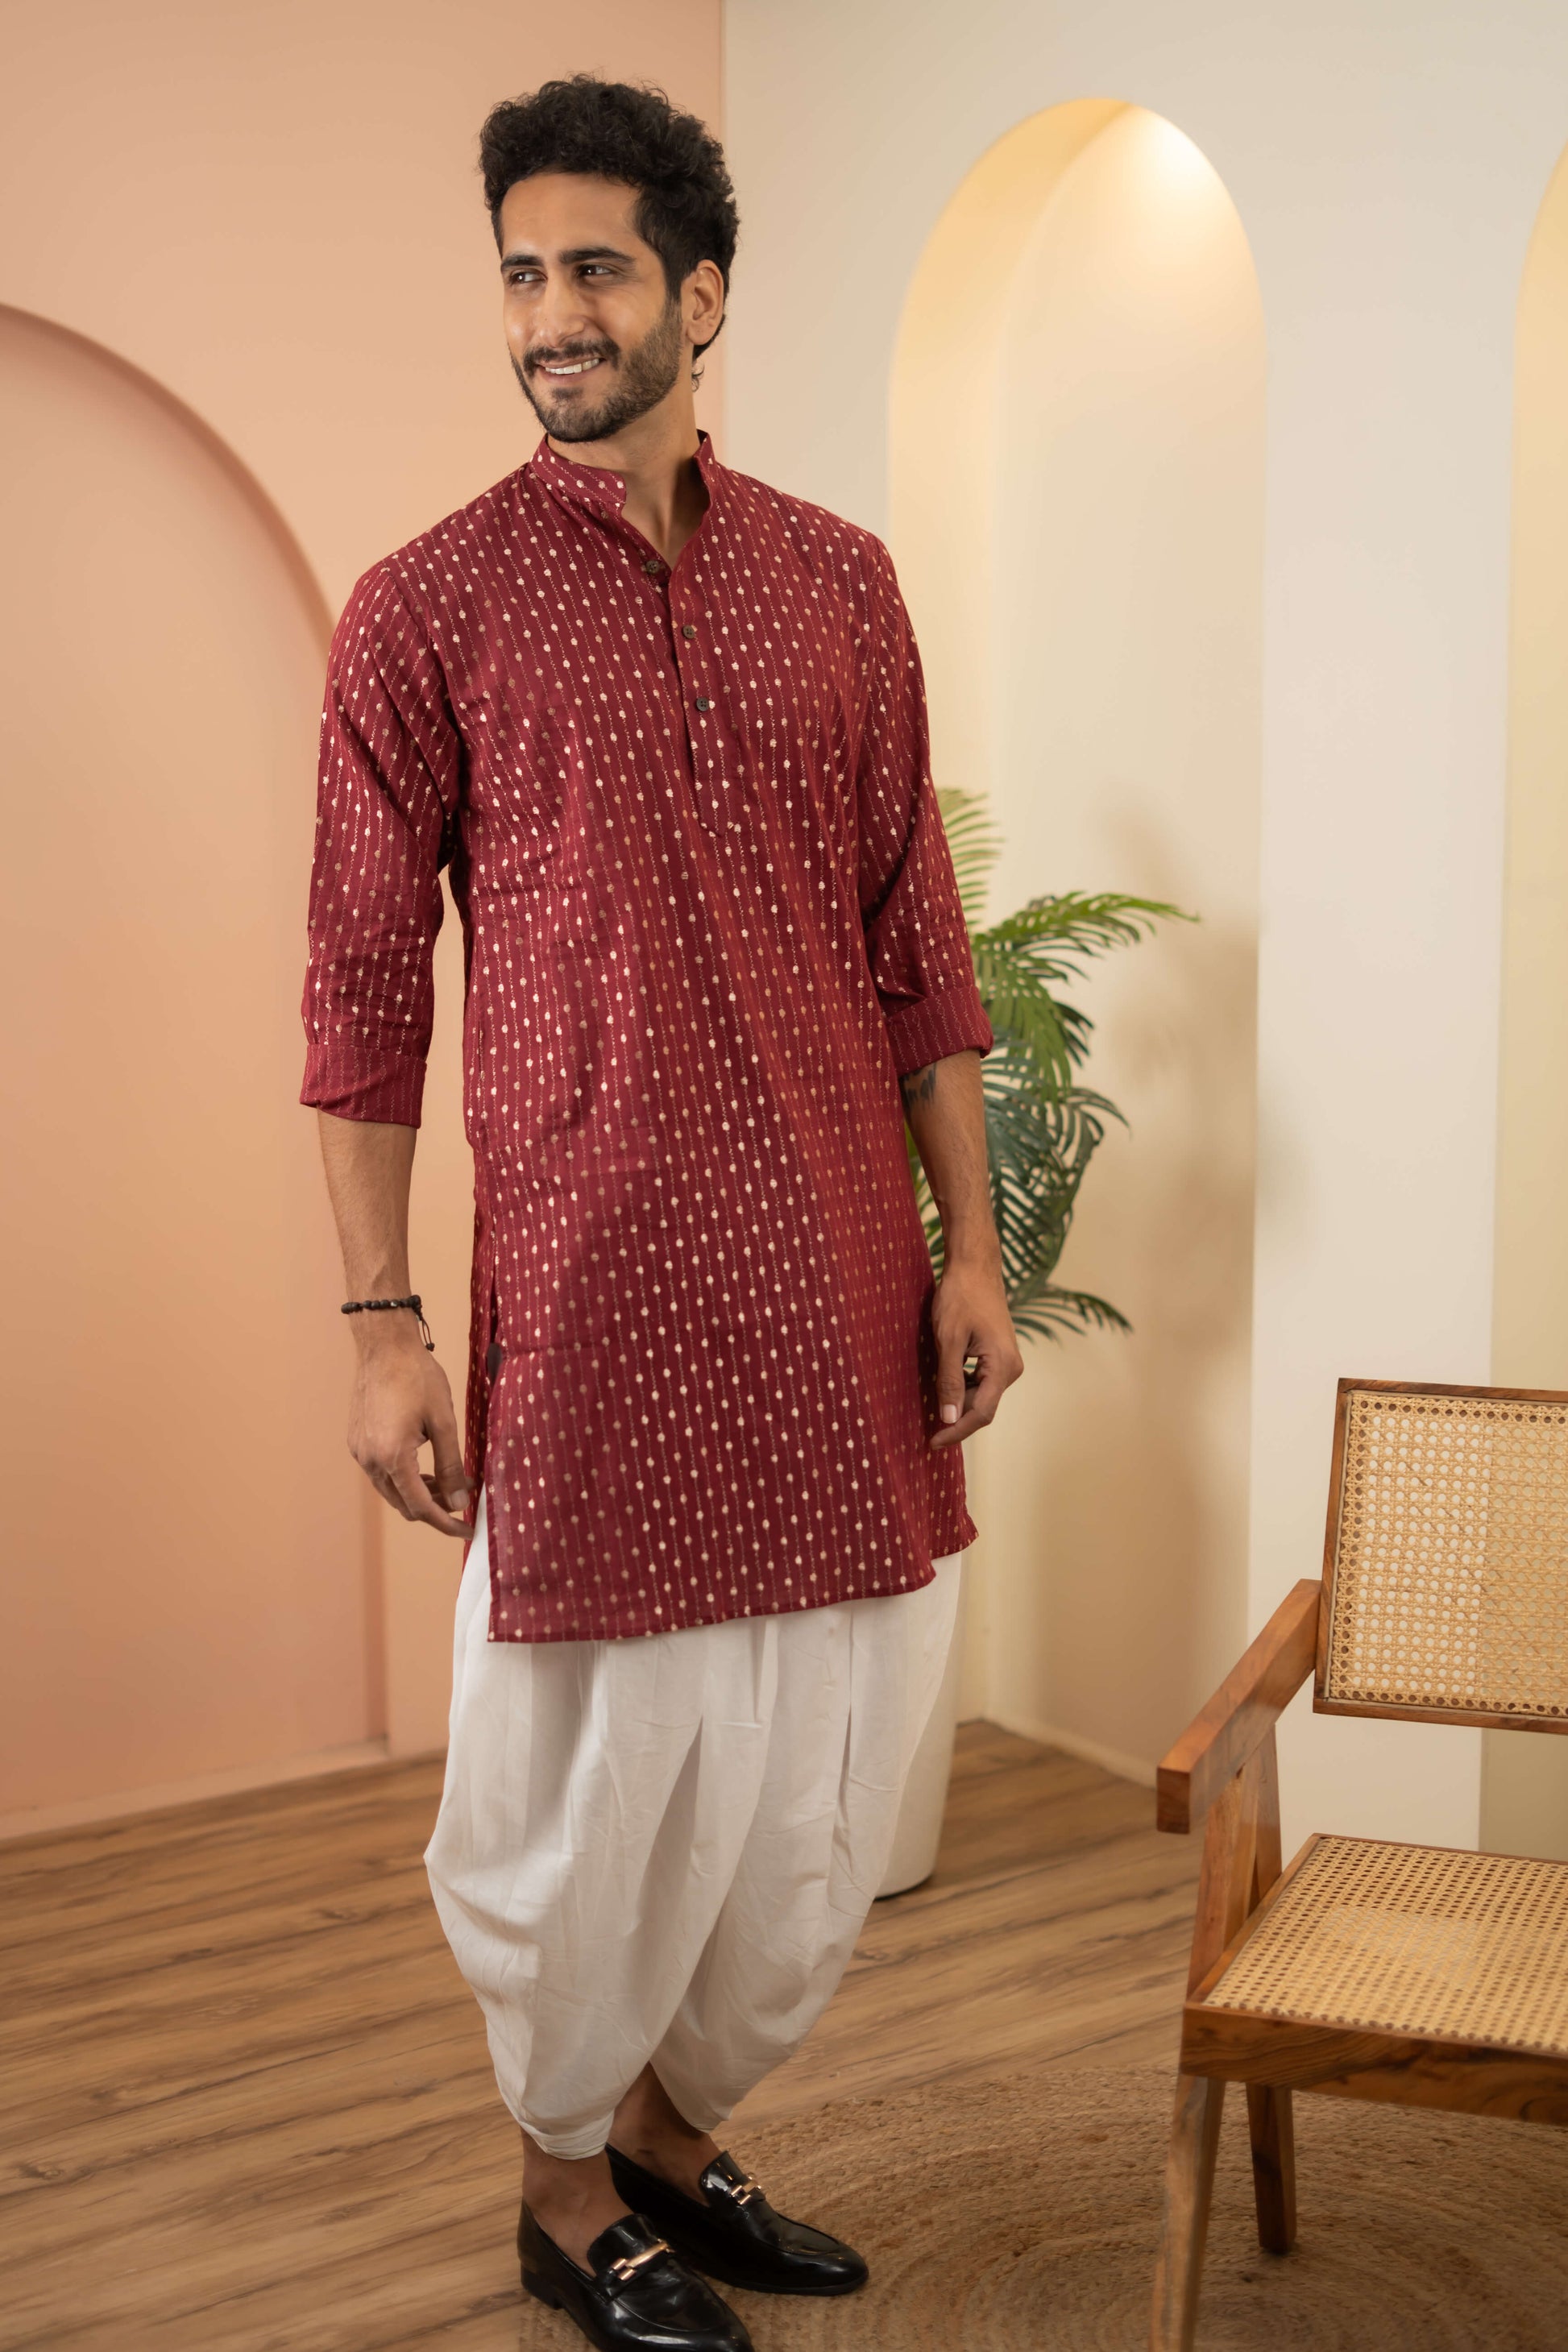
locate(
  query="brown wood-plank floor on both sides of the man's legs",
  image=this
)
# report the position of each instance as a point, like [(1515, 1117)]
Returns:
[(248, 2102)]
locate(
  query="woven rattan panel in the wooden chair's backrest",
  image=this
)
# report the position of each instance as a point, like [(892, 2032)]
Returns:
[(1452, 1572)]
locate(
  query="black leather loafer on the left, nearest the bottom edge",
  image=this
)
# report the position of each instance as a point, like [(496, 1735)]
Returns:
[(638, 2297)]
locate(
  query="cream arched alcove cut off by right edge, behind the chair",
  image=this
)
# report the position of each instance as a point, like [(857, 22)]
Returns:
[(1525, 1782)]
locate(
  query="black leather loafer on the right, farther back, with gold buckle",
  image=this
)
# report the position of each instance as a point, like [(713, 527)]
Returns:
[(737, 2236)]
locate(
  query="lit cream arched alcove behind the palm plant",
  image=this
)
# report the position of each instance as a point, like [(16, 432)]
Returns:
[(1078, 516)]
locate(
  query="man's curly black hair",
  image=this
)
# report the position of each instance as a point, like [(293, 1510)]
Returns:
[(629, 133)]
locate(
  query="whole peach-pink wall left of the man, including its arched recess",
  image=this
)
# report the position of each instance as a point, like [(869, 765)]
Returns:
[(274, 215)]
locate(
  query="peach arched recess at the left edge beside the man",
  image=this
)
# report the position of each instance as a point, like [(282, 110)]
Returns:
[(189, 1577)]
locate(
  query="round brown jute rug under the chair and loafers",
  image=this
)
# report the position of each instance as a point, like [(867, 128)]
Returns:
[(1021, 2219)]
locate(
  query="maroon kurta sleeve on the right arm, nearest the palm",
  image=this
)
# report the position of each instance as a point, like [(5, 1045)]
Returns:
[(916, 935)]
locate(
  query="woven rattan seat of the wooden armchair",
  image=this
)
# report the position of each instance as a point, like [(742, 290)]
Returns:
[(1414, 1942)]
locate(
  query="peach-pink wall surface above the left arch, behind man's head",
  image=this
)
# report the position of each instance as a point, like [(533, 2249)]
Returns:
[(274, 211)]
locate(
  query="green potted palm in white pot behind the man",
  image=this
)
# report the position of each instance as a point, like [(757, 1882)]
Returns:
[(1043, 1130)]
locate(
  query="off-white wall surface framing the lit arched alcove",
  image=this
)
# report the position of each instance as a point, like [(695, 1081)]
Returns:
[(1388, 168)]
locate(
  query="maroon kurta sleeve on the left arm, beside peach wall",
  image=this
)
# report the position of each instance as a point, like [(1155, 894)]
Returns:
[(384, 829)]
